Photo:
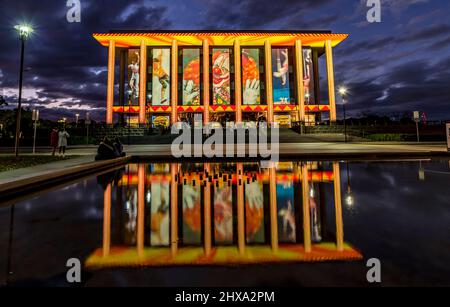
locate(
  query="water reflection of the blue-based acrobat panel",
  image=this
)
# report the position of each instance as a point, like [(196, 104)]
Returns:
[(286, 212)]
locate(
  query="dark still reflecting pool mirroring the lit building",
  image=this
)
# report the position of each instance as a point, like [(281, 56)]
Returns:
[(235, 224)]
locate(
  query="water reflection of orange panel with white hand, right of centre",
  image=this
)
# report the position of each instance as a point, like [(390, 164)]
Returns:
[(254, 212)]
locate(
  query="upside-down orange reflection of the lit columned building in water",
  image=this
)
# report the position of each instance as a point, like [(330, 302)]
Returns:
[(222, 213)]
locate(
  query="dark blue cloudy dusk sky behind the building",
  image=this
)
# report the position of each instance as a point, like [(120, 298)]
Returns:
[(401, 64)]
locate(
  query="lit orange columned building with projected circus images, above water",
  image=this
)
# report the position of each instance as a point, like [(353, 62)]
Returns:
[(162, 77)]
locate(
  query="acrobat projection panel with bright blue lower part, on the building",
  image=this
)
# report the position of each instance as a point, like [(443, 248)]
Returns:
[(280, 80)]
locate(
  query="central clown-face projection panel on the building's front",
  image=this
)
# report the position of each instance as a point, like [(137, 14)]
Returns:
[(221, 76)]
